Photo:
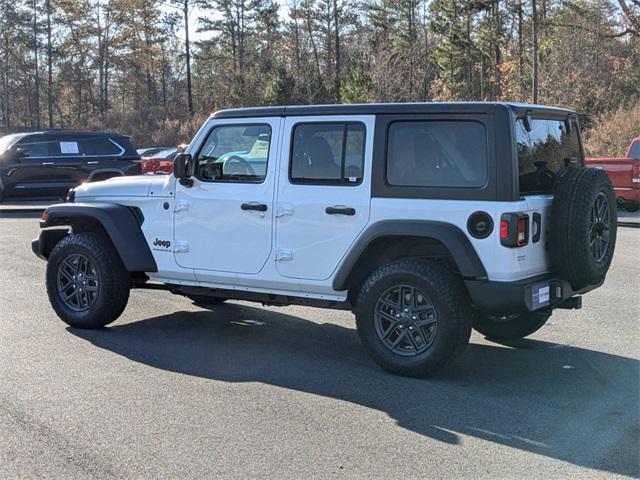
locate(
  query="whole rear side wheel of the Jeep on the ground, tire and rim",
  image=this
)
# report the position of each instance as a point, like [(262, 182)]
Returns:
[(413, 317)]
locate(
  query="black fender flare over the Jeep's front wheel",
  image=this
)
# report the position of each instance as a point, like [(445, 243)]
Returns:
[(118, 221)]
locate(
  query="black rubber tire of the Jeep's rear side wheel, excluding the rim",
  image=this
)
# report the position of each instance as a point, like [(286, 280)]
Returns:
[(452, 307)]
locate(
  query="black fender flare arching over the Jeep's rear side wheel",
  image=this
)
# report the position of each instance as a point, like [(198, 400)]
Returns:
[(451, 236)]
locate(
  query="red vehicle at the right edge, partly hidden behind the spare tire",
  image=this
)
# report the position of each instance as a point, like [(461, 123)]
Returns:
[(624, 174)]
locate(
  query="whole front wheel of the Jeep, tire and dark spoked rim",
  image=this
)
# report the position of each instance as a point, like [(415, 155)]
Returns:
[(87, 283)]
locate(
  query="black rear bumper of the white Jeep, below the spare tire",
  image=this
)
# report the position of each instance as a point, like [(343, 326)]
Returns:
[(508, 298)]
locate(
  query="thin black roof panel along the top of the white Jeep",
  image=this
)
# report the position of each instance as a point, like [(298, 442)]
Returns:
[(384, 108)]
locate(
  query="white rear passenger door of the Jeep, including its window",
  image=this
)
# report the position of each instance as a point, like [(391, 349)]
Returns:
[(324, 192)]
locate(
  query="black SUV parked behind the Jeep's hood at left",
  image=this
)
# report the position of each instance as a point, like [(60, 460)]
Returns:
[(49, 163)]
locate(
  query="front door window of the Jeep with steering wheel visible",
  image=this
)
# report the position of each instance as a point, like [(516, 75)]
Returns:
[(235, 153)]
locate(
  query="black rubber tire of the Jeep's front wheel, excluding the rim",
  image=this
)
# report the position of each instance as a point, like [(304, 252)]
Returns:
[(113, 287)]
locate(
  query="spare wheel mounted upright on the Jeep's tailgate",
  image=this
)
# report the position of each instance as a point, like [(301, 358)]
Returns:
[(583, 226)]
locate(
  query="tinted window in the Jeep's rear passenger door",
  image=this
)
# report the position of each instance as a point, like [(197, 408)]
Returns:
[(328, 153)]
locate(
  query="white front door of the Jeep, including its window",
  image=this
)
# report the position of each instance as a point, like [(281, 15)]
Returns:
[(223, 222)]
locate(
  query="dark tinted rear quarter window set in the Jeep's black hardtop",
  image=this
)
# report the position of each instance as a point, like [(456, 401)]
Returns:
[(437, 154)]
